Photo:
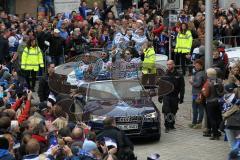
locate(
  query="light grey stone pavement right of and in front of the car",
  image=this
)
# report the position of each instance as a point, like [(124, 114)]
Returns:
[(183, 143)]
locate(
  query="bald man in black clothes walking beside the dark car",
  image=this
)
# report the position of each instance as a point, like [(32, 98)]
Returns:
[(171, 100)]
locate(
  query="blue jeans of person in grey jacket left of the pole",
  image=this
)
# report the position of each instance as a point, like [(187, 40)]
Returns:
[(197, 111)]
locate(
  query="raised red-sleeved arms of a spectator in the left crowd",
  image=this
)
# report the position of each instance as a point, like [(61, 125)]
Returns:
[(26, 110)]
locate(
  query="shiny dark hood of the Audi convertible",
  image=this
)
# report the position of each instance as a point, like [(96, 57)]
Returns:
[(123, 108)]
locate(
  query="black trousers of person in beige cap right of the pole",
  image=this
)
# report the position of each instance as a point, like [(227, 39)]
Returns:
[(214, 117)]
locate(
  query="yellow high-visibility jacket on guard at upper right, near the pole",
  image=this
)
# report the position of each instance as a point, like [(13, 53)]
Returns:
[(183, 42)]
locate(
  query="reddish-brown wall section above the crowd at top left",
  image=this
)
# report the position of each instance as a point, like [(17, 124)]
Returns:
[(26, 6)]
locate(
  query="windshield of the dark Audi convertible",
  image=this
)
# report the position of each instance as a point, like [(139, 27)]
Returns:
[(115, 90)]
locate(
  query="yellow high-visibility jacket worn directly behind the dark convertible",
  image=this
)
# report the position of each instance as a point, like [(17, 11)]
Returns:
[(148, 65)]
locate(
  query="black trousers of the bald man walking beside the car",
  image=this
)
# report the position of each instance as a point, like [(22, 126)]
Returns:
[(169, 109)]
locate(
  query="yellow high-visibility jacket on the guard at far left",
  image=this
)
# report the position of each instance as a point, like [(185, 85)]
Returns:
[(32, 58)]
